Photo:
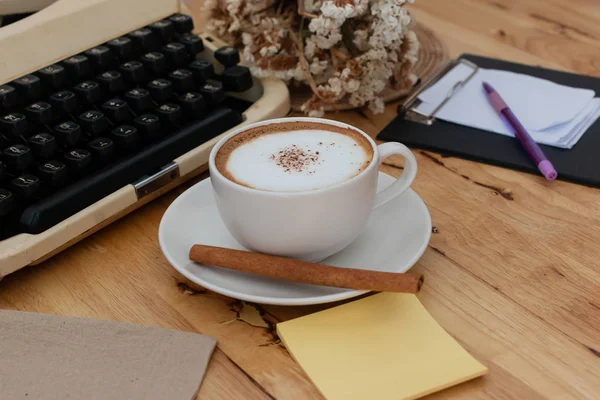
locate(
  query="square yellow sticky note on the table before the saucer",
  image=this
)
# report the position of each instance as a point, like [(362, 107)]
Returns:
[(385, 347)]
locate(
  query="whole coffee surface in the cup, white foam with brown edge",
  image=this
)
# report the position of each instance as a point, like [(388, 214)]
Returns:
[(294, 156)]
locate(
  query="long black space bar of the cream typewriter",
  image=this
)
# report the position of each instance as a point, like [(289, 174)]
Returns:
[(74, 198)]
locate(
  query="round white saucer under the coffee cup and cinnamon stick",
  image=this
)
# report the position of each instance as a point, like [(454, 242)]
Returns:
[(394, 239)]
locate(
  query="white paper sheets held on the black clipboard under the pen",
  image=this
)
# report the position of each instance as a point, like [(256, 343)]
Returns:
[(553, 114)]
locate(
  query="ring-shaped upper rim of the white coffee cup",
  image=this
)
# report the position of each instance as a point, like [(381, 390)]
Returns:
[(215, 172)]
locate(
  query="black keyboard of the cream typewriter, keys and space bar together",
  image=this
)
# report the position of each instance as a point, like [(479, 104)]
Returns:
[(76, 131)]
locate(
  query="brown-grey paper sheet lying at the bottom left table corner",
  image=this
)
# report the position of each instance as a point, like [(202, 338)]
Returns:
[(55, 358)]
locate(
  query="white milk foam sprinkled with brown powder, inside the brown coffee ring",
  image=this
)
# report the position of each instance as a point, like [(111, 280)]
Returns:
[(297, 160)]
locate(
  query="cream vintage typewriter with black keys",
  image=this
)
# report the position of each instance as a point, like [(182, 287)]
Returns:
[(104, 106)]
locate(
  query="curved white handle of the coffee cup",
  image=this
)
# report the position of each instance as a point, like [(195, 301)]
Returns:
[(407, 177)]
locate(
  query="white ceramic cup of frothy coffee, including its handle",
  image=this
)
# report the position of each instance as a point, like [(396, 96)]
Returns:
[(301, 187)]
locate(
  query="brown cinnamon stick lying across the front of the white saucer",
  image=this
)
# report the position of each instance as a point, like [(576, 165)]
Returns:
[(306, 272)]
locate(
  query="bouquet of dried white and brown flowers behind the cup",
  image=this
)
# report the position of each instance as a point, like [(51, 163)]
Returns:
[(344, 50)]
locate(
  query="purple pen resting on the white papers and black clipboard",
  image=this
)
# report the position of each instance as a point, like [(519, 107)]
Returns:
[(530, 146)]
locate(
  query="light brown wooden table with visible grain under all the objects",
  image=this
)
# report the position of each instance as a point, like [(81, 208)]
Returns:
[(512, 270)]
